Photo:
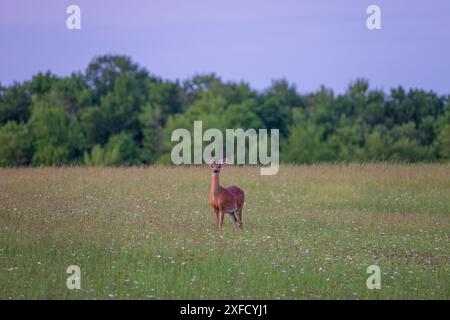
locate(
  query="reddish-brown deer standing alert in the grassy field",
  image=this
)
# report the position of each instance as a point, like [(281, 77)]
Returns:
[(225, 200)]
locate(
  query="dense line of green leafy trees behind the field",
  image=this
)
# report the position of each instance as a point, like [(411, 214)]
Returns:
[(117, 113)]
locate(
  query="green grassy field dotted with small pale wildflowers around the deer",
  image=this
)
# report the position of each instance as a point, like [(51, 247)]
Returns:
[(310, 232)]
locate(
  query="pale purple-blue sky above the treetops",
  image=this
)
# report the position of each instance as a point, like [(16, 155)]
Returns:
[(309, 42)]
